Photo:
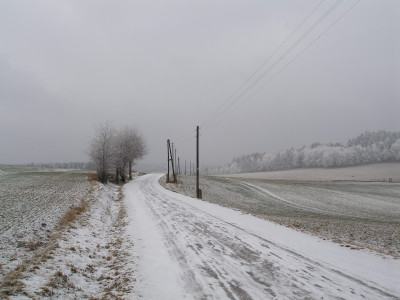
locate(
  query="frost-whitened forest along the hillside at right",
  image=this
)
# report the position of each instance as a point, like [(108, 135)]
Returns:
[(367, 148)]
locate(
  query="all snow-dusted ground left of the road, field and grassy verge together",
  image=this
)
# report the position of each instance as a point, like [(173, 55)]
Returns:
[(81, 253)]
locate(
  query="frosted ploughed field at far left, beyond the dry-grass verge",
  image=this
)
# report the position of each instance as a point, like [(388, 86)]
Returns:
[(32, 201)]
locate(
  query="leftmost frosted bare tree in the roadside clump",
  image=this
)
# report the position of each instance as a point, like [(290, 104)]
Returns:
[(101, 150)]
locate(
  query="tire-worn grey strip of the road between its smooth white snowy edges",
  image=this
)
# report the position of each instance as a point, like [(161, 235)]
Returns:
[(220, 259)]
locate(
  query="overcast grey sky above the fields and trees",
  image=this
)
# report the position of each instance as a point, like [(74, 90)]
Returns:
[(167, 66)]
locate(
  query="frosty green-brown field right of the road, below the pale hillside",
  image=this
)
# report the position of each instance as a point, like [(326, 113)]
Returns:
[(354, 214)]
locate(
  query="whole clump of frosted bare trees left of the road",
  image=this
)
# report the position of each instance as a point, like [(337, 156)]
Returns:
[(117, 150)]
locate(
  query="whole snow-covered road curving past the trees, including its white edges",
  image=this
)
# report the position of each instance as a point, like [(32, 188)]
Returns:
[(191, 249)]
